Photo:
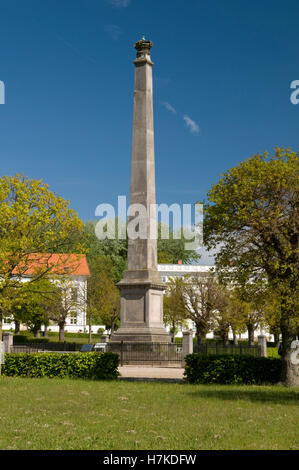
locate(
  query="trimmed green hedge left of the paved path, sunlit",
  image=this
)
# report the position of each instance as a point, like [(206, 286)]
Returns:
[(99, 366)]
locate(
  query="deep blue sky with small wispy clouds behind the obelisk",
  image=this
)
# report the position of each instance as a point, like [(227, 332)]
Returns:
[(222, 79)]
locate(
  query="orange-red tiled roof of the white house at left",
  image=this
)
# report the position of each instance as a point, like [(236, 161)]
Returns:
[(57, 263)]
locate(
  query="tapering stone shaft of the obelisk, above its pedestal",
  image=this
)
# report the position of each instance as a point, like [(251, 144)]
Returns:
[(142, 253)]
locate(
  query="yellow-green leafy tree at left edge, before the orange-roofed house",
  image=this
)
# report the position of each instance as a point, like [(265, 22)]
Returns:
[(33, 220)]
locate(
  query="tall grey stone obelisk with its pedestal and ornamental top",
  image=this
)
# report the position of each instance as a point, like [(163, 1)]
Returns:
[(141, 287)]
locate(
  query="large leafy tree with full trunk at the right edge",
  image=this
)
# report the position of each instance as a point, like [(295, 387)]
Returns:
[(252, 217)]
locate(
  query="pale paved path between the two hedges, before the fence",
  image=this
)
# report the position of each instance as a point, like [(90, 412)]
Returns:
[(167, 374)]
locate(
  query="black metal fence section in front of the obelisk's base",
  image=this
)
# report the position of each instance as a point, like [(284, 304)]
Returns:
[(147, 353)]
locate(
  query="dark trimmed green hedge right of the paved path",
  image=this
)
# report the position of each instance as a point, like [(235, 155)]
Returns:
[(232, 369)]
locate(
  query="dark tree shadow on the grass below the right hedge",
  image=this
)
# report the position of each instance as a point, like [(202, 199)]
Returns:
[(279, 396)]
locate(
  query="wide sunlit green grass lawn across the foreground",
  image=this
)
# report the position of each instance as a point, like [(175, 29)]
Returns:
[(78, 414)]
